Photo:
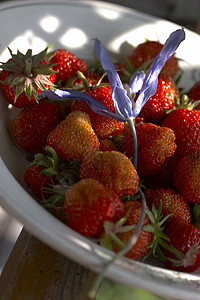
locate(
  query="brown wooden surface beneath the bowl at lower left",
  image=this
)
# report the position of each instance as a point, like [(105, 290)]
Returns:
[(36, 272)]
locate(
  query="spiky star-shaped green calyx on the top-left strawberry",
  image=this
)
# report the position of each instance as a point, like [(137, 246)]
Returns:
[(28, 72)]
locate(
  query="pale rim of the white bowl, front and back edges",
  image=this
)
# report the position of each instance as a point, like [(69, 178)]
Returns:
[(154, 279)]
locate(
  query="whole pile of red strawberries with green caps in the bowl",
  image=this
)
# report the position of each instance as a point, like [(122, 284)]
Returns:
[(82, 168)]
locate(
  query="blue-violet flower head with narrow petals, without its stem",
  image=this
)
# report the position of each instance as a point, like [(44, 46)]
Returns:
[(125, 106)]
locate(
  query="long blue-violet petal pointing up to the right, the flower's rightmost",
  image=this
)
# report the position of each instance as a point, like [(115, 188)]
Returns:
[(151, 80)]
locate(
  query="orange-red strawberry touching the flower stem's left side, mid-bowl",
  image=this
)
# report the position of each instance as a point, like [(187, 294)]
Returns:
[(113, 169)]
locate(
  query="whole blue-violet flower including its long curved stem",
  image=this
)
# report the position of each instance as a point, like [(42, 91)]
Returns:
[(126, 109)]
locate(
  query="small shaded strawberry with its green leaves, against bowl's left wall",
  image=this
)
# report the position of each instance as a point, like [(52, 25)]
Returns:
[(49, 177)]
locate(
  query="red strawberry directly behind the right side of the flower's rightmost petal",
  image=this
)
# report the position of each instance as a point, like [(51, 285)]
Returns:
[(154, 110)]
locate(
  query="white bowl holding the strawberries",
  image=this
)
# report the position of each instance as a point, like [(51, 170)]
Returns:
[(73, 25)]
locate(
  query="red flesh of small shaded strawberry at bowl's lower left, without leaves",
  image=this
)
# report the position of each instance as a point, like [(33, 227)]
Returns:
[(38, 181)]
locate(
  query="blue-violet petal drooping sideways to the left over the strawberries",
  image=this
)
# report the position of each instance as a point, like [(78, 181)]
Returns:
[(96, 106)]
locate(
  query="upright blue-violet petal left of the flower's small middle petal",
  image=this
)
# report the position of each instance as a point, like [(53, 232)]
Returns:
[(122, 103)]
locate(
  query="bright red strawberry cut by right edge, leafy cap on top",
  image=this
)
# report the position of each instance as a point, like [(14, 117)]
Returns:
[(186, 126)]
